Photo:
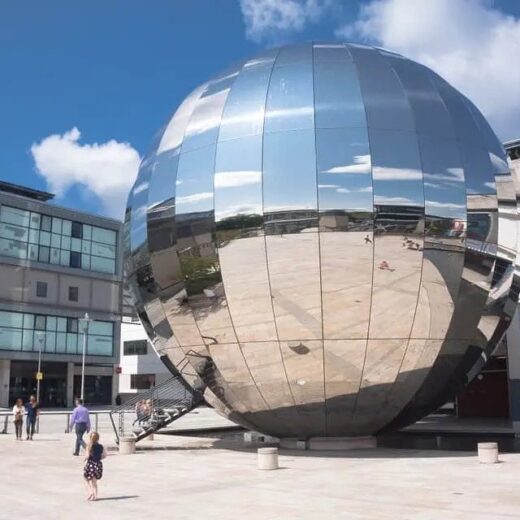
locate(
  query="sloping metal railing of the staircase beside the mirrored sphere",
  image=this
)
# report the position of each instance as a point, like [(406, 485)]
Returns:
[(149, 411)]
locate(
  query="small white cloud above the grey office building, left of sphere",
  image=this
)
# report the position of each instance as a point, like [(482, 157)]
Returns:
[(106, 169)]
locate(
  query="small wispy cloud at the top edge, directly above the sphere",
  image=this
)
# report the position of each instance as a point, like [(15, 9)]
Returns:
[(270, 19)]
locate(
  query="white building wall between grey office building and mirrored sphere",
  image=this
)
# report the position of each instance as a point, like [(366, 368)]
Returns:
[(133, 364)]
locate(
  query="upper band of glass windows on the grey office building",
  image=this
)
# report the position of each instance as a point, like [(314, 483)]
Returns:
[(52, 240)]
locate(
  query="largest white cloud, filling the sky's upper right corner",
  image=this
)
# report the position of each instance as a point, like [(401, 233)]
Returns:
[(468, 42)]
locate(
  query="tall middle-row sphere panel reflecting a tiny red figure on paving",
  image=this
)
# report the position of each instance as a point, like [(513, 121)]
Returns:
[(399, 229)]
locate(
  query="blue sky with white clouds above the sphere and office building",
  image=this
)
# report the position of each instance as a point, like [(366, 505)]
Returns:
[(116, 69)]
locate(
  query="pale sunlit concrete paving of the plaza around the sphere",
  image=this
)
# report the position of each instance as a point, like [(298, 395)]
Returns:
[(215, 477)]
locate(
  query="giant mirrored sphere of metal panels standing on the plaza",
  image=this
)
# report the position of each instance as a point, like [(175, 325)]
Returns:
[(321, 236)]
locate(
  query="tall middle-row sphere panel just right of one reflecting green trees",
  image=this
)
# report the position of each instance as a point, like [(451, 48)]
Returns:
[(238, 214)]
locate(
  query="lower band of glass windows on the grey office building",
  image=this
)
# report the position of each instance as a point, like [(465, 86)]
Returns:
[(58, 335)]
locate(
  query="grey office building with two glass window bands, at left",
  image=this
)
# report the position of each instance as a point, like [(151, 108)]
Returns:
[(55, 266)]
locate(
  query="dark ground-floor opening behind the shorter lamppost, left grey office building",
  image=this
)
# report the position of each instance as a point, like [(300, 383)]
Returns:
[(53, 387)]
